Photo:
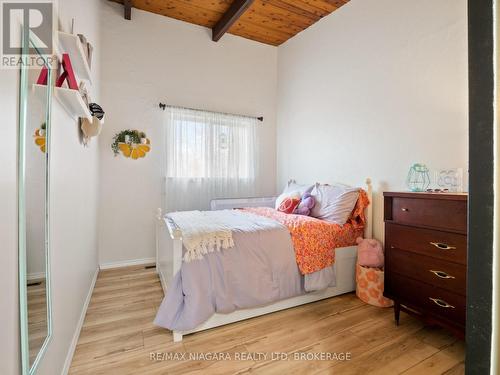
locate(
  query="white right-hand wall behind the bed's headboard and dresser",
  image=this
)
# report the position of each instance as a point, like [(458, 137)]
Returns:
[(371, 89)]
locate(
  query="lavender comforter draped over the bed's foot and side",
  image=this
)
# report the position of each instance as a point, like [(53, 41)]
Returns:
[(260, 269)]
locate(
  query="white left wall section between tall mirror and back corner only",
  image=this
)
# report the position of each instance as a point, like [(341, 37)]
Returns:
[(74, 197)]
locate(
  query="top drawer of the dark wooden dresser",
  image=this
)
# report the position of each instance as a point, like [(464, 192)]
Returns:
[(442, 214)]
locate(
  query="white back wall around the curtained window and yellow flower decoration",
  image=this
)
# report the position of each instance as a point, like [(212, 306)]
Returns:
[(151, 59)]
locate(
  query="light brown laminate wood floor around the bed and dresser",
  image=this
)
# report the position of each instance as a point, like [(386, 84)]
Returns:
[(118, 337)]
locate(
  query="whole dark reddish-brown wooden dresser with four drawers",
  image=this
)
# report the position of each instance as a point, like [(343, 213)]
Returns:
[(426, 256)]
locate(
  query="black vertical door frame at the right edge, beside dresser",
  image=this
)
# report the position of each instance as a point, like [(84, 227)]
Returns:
[(481, 186)]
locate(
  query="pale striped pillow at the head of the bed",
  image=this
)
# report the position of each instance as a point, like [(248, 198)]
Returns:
[(334, 203)]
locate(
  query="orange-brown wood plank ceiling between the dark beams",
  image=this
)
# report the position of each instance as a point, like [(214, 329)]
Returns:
[(268, 21)]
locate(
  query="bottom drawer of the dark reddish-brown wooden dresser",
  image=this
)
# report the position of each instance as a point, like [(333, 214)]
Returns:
[(429, 299)]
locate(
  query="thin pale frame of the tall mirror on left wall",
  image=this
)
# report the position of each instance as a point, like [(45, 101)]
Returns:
[(23, 292)]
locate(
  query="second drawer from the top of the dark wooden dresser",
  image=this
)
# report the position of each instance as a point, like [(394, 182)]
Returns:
[(437, 244)]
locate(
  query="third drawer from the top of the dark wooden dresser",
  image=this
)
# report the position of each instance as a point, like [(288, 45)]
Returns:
[(442, 274)]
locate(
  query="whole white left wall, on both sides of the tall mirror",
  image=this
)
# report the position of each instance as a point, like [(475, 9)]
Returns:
[(73, 215)]
